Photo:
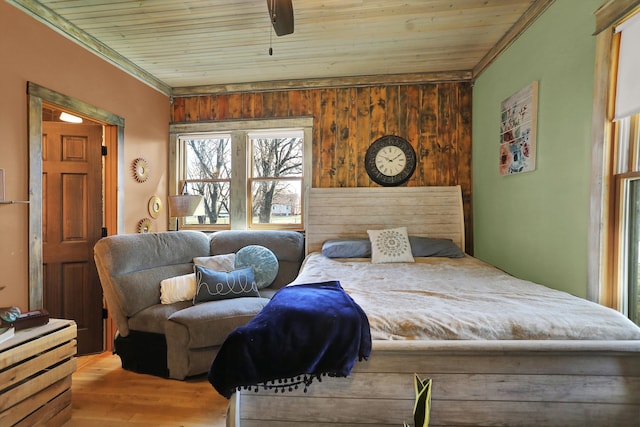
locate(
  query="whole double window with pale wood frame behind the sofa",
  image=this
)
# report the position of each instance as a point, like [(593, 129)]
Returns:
[(248, 176)]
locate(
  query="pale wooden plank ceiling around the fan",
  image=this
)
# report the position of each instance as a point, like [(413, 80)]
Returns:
[(187, 43)]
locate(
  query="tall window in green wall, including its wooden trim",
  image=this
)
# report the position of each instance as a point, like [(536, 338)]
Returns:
[(614, 232)]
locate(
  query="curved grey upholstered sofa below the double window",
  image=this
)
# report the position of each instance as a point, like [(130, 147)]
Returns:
[(180, 339)]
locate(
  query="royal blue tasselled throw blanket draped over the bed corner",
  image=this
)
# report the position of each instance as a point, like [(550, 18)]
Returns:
[(305, 331)]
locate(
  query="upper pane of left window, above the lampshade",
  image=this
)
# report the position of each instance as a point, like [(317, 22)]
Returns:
[(208, 157)]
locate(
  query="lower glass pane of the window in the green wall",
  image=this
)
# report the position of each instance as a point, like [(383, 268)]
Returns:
[(633, 250)]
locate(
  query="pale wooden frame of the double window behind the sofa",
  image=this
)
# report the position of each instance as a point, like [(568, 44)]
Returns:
[(239, 196)]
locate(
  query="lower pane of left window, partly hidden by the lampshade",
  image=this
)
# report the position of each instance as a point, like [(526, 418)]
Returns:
[(214, 209)]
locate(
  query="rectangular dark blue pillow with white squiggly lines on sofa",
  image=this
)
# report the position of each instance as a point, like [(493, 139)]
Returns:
[(212, 285)]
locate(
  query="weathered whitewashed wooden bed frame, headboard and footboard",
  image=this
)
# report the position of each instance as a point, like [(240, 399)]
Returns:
[(488, 383)]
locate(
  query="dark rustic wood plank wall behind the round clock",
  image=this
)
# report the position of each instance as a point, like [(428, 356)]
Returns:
[(434, 117)]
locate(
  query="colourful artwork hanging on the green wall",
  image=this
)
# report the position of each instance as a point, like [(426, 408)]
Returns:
[(518, 124)]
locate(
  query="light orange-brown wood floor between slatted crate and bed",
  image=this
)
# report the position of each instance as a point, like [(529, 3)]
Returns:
[(104, 394)]
